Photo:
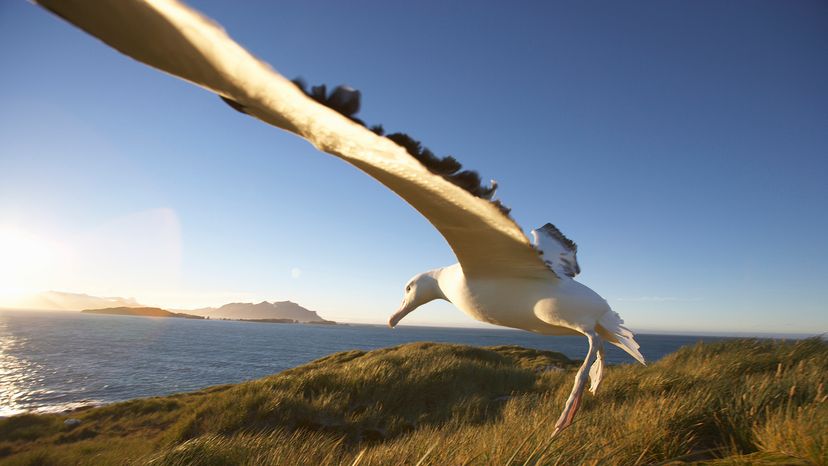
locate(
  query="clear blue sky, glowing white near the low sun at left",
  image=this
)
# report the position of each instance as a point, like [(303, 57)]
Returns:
[(683, 145)]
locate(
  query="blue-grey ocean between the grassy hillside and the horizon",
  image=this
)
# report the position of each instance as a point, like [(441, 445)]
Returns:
[(54, 361)]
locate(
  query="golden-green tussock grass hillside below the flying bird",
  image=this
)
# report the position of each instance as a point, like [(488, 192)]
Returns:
[(736, 402)]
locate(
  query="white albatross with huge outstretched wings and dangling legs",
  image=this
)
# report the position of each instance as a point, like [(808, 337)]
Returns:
[(501, 276)]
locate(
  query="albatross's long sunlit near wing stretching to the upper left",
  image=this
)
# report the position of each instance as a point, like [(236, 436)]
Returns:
[(170, 36)]
